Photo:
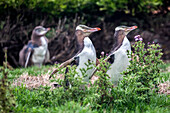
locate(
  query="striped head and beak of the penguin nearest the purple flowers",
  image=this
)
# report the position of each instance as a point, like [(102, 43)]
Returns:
[(125, 29)]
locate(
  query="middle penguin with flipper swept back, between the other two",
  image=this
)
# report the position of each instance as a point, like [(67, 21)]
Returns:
[(86, 51)]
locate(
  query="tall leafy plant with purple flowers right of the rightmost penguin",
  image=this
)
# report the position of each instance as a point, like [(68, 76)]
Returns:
[(143, 73)]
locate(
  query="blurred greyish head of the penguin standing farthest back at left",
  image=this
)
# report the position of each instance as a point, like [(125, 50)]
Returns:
[(40, 31)]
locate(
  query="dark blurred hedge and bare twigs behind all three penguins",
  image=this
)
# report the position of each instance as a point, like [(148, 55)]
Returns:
[(19, 17)]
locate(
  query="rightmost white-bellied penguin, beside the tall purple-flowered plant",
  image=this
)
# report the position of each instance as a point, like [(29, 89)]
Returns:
[(118, 55)]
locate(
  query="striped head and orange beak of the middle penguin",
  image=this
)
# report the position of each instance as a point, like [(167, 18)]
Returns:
[(85, 30)]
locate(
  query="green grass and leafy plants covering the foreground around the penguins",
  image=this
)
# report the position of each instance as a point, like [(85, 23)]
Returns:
[(137, 92)]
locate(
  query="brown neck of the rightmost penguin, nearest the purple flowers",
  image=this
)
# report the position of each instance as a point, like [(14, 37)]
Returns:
[(119, 37)]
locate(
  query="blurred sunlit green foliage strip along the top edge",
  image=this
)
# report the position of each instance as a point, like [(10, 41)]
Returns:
[(60, 7)]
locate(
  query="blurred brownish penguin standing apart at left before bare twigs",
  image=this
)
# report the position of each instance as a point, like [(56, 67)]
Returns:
[(36, 51)]
